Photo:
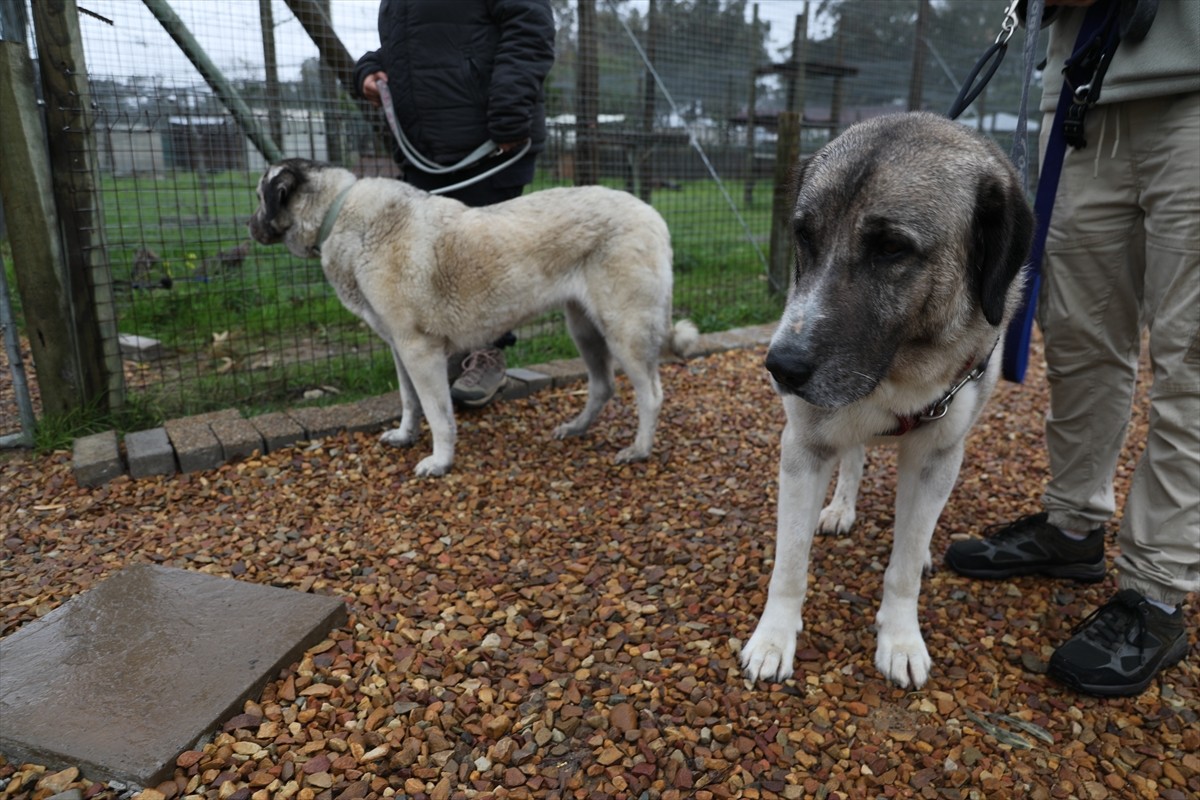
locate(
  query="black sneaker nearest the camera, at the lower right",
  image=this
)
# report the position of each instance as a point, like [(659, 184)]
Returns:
[(1120, 648)]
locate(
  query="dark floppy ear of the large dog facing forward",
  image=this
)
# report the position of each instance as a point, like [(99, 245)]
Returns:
[(1001, 234)]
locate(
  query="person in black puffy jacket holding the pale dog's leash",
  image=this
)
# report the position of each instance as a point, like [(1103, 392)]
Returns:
[(464, 74)]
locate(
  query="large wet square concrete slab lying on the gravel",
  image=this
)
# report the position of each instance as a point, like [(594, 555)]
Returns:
[(122, 679)]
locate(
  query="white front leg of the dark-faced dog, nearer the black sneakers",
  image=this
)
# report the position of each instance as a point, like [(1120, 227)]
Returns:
[(926, 477)]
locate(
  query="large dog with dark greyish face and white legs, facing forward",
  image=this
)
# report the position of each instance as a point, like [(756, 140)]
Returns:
[(911, 233)]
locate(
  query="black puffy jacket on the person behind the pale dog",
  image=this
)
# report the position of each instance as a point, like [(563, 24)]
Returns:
[(463, 73)]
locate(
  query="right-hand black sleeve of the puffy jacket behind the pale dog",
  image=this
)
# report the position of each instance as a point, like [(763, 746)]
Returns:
[(524, 58)]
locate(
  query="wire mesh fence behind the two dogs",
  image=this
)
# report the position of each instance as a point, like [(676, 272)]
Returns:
[(675, 101)]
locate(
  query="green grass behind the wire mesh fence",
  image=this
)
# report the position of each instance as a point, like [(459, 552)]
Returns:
[(259, 335)]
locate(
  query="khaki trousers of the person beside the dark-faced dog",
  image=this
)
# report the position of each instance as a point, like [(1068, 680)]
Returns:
[(1123, 256)]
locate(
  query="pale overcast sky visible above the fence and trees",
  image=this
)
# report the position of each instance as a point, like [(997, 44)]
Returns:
[(229, 31)]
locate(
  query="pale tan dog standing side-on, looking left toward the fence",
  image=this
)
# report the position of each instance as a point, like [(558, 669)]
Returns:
[(433, 276)]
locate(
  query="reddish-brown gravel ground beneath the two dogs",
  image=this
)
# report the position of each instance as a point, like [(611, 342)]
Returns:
[(544, 624)]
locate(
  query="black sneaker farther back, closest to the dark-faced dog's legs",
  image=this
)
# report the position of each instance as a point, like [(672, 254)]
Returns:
[(1029, 546)]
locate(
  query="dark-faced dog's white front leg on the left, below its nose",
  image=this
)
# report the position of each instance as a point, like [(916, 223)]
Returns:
[(803, 478)]
